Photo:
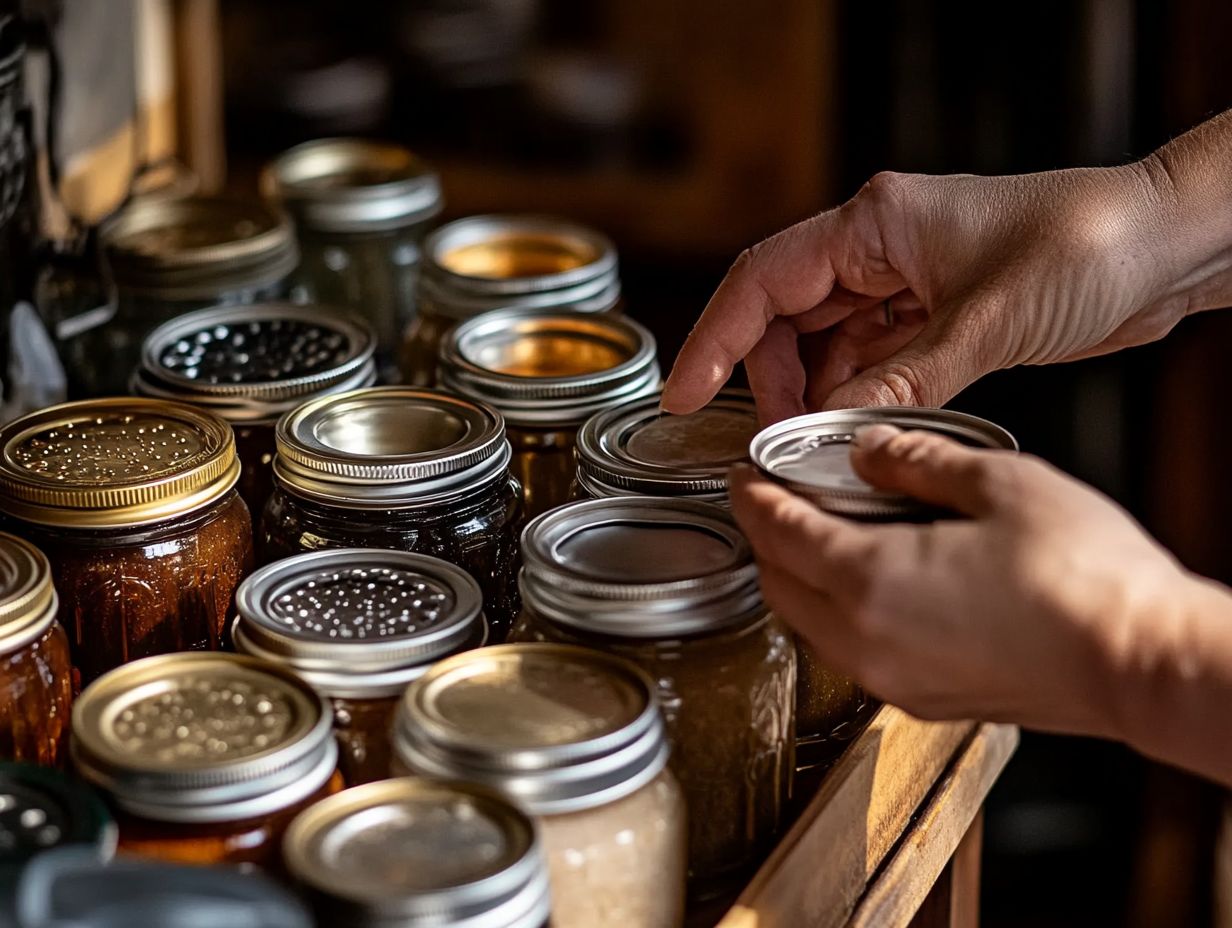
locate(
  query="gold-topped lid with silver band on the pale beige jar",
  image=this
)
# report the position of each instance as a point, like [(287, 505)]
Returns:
[(559, 729)]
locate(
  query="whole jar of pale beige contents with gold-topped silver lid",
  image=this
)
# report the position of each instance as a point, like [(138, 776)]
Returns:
[(576, 739)]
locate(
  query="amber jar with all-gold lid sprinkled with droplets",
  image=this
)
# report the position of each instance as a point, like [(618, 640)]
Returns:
[(135, 505)]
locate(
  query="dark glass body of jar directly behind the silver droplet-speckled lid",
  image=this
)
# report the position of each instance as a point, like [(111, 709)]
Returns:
[(480, 533)]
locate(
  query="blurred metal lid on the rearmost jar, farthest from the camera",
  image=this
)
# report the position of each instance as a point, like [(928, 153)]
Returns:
[(353, 185)]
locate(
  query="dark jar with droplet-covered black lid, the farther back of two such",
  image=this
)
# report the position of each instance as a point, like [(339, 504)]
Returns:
[(249, 365)]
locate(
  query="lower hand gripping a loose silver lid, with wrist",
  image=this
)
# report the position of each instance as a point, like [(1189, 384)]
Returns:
[(1048, 607)]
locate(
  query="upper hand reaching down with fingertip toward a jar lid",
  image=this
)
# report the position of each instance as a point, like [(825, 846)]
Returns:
[(920, 285)]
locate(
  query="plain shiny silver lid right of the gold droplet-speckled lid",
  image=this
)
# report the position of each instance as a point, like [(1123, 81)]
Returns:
[(389, 447)]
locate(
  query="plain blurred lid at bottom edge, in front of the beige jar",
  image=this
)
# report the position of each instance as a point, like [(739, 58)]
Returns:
[(422, 853)]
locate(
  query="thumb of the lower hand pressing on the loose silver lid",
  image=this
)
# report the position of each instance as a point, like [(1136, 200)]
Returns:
[(930, 468)]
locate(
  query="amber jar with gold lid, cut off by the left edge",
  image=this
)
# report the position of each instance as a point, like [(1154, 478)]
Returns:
[(36, 675)]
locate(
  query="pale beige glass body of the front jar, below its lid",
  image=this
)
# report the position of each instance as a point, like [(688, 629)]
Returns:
[(623, 865)]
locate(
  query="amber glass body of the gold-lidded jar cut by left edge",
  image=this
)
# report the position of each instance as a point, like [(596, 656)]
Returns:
[(36, 699)]
